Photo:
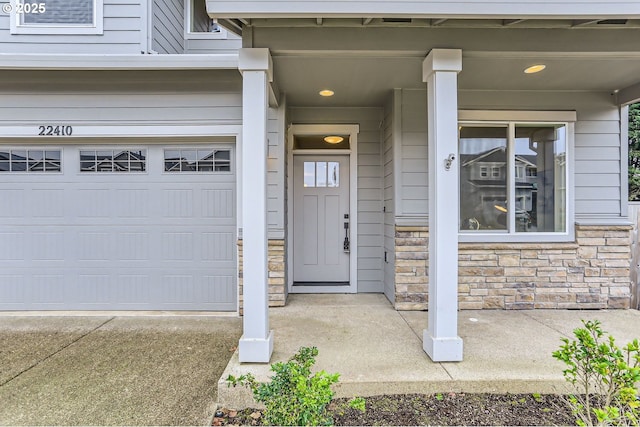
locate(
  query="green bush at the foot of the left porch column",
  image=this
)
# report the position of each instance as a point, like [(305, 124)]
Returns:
[(294, 396)]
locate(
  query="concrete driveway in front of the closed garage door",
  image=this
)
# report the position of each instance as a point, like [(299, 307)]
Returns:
[(106, 370)]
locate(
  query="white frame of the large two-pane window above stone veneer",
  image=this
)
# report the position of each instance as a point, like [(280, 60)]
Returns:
[(511, 119)]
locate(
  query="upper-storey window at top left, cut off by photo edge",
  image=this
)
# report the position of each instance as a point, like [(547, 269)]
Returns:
[(56, 17)]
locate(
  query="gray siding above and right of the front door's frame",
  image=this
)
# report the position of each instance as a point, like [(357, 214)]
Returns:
[(370, 185)]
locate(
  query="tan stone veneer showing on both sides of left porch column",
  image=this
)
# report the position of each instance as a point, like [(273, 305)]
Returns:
[(276, 276)]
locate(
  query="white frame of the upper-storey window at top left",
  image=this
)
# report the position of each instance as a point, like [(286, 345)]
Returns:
[(97, 28)]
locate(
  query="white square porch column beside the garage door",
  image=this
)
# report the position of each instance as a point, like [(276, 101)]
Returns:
[(256, 343)]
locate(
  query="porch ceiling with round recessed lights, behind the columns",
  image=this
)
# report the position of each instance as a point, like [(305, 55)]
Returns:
[(366, 78)]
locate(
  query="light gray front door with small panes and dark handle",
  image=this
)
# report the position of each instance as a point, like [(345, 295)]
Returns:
[(321, 220)]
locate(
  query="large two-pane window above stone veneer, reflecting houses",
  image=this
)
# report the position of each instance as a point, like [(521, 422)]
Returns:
[(531, 197)]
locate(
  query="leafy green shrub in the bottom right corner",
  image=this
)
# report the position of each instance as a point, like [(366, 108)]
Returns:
[(605, 376)]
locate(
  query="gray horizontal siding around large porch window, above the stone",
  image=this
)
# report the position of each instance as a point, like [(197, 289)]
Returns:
[(597, 161)]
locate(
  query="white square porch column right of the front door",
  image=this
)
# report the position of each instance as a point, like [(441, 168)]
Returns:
[(440, 71)]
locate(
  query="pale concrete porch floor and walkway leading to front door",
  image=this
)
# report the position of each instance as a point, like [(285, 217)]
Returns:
[(378, 350)]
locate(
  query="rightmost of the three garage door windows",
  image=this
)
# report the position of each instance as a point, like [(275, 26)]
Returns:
[(197, 160)]
